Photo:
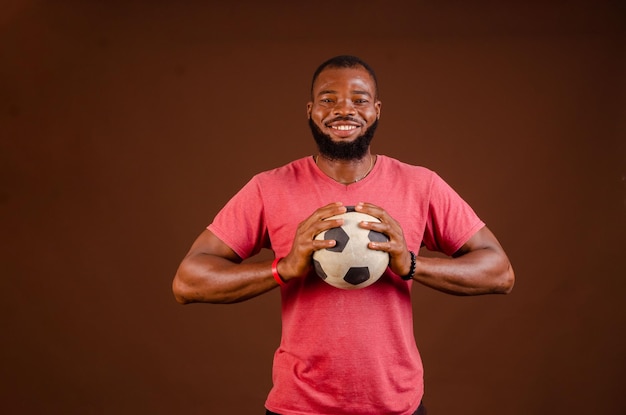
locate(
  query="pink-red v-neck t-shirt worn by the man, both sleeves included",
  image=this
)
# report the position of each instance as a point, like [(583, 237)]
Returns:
[(345, 351)]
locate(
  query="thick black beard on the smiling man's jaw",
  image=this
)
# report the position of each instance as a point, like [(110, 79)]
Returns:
[(353, 150)]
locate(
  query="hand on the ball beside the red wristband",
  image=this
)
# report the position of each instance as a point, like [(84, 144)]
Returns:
[(298, 262)]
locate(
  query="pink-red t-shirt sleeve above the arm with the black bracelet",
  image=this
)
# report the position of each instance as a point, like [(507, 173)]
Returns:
[(451, 221)]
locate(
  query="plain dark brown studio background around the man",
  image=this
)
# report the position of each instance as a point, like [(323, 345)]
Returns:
[(125, 126)]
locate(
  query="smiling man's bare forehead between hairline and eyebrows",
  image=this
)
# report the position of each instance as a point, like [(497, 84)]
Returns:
[(344, 79)]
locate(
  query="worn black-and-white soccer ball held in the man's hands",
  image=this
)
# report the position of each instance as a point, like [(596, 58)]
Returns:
[(350, 264)]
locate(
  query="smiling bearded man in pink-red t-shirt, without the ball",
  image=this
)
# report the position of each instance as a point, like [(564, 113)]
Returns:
[(343, 351)]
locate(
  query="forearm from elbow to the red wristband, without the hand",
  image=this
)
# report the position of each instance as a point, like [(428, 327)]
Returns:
[(211, 279)]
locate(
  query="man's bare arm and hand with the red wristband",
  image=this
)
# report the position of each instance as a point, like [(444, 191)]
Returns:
[(213, 273)]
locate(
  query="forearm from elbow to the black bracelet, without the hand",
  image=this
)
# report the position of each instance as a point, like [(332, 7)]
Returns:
[(483, 271)]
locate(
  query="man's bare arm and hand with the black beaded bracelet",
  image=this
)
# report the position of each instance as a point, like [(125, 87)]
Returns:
[(480, 266)]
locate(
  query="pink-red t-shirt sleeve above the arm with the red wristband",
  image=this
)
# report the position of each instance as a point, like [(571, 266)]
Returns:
[(240, 224)]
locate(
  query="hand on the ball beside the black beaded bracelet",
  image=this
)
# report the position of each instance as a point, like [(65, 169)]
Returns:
[(399, 255)]
